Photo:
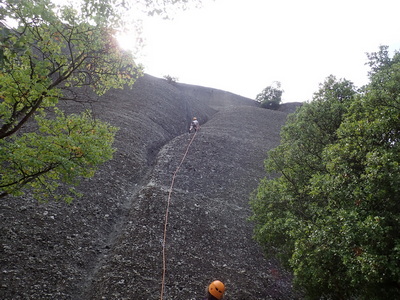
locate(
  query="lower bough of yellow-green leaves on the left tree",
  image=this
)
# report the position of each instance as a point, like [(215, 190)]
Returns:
[(64, 148)]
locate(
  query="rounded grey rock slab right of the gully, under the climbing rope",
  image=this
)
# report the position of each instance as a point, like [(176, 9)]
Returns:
[(208, 233)]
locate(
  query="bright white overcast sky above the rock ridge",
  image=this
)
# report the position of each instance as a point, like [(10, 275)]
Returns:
[(242, 46)]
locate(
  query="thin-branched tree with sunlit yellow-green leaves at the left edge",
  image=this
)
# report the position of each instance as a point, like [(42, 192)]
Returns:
[(57, 53)]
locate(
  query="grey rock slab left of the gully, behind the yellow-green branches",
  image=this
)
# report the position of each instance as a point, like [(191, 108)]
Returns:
[(50, 250)]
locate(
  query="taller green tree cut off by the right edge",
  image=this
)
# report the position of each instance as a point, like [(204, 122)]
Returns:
[(362, 181)]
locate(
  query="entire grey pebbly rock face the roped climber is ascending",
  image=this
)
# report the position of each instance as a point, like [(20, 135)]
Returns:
[(108, 244)]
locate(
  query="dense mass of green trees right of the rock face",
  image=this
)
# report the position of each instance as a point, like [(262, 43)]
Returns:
[(332, 214)]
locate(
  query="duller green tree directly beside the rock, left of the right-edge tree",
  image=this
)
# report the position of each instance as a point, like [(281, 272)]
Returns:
[(296, 159)]
